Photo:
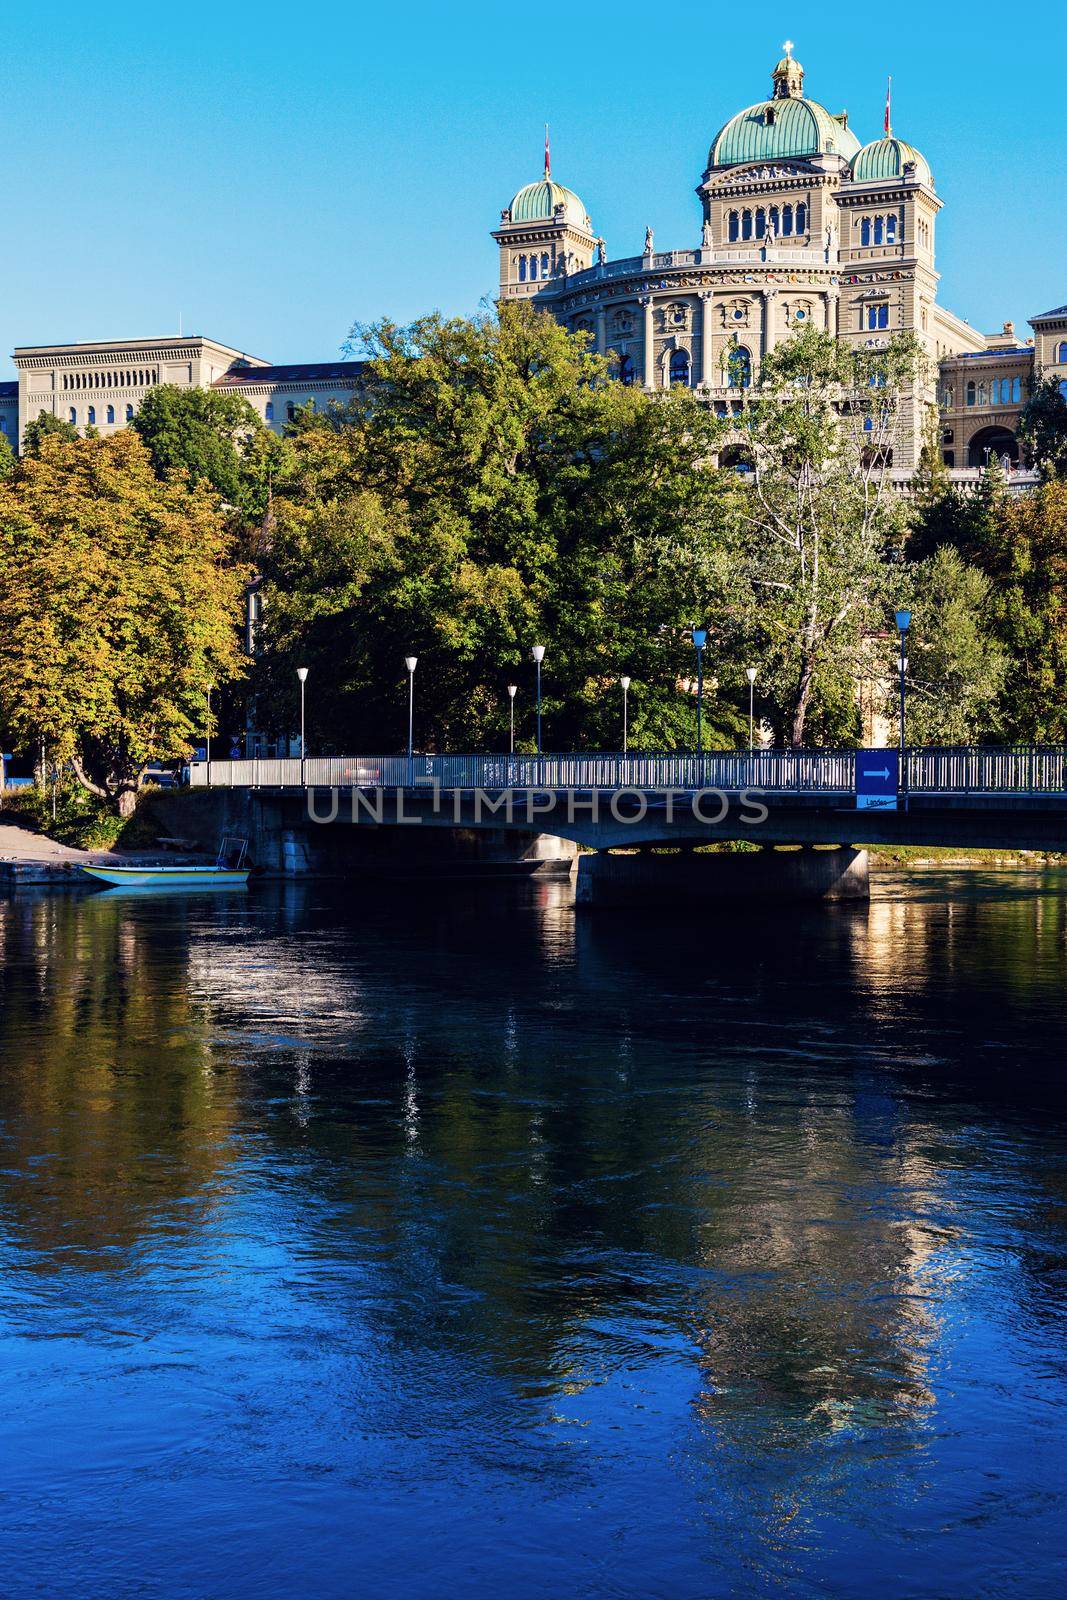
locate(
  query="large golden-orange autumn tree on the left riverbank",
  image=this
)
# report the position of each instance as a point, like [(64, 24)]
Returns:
[(119, 606)]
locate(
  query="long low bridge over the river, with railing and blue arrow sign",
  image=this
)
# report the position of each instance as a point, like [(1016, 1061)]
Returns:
[(964, 798)]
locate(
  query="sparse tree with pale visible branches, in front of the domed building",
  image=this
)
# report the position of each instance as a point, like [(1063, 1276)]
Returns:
[(820, 524)]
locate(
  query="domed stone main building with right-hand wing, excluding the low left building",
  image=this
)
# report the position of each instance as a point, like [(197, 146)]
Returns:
[(801, 226)]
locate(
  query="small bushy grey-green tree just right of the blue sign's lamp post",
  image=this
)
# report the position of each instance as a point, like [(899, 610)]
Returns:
[(957, 668)]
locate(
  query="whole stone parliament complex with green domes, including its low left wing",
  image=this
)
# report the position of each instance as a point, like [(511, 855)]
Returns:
[(801, 223)]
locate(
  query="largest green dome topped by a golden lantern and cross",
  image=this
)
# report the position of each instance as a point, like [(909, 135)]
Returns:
[(786, 127)]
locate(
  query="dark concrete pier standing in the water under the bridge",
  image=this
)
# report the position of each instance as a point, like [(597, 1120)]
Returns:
[(685, 879)]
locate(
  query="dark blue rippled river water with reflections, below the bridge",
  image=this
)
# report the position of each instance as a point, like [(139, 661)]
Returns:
[(458, 1244)]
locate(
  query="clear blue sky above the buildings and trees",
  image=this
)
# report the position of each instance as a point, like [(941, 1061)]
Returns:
[(273, 175)]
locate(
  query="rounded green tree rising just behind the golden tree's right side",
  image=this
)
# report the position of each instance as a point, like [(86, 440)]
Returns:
[(218, 439)]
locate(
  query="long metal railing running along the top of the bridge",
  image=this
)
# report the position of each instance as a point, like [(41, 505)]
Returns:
[(927, 772)]
